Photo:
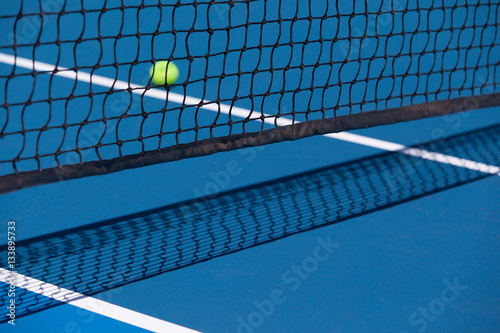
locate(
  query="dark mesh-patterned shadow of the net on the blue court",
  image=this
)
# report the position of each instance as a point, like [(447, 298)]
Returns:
[(113, 253)]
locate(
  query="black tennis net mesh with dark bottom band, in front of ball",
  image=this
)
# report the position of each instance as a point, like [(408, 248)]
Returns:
[(87, 105)]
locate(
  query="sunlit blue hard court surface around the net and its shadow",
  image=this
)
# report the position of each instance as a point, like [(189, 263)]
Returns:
[(424, 265)]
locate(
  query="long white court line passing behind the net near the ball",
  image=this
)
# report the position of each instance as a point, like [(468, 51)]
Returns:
[(239, 112)]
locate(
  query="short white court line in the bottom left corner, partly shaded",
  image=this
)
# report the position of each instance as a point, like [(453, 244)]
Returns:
[(92, 304)]
